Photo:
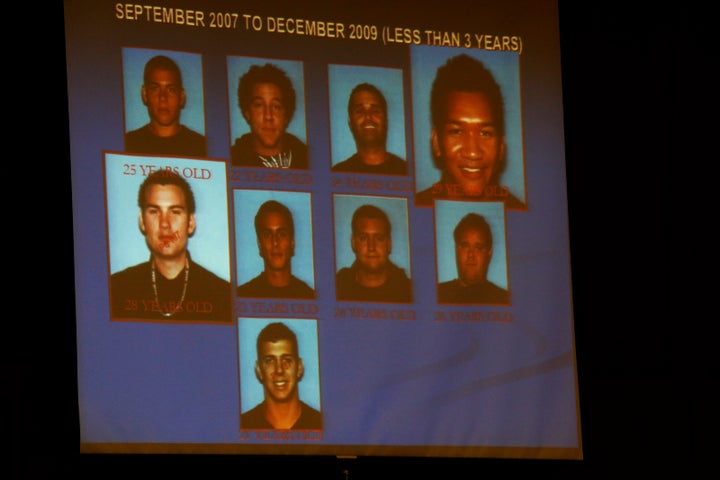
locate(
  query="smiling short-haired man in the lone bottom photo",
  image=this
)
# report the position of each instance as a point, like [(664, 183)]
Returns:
[(279, 368)]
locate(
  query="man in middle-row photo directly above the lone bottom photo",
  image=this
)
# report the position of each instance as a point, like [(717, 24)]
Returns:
[(275, 231)]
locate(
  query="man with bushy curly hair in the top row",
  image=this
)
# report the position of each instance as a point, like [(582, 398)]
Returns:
[(267, 101)]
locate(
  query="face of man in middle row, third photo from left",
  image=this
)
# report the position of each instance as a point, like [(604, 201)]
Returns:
[(372, 244)]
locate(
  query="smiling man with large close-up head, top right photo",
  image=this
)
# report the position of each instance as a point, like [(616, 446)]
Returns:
[(467, 135)]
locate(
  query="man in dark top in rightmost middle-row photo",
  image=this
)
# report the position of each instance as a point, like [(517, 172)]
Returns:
[(473, 253)]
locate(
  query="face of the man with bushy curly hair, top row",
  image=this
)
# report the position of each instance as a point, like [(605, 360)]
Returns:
[(267, 118)]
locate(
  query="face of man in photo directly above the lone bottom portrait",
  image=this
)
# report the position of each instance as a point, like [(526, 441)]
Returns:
[(275, 242)]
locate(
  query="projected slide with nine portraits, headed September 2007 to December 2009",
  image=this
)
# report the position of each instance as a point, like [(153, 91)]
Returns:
[(321, 230)]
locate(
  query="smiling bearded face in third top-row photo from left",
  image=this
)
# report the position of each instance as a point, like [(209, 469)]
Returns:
[(367, 119)]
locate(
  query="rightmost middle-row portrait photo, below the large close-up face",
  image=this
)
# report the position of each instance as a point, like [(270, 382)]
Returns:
[(471, 253)]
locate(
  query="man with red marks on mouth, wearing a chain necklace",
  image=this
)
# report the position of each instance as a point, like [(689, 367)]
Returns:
[(170, 285)]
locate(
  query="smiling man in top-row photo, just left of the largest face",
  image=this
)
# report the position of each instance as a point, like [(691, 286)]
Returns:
[(368, 122)]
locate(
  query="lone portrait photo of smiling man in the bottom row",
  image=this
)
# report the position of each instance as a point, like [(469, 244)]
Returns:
[(279, 369)]
